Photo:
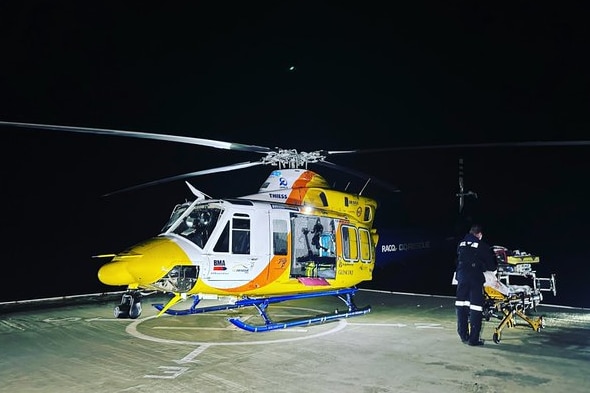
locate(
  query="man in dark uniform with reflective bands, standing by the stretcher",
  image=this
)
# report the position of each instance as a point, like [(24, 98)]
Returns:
[(473, 258)]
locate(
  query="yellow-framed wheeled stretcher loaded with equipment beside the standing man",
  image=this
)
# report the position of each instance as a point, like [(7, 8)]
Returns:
[(514, 290)]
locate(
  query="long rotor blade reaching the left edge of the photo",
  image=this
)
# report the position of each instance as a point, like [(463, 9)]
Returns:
[(144, 135)]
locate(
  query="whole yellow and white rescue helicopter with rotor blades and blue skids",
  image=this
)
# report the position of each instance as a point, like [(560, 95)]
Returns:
[(296, 238)]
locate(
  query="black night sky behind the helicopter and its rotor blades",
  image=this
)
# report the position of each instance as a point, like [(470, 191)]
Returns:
[(304, 75)]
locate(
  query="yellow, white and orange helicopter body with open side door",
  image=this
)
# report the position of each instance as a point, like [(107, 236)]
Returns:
[(279, 241)]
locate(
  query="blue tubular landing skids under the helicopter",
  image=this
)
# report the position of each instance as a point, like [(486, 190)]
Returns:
[(261, 304)]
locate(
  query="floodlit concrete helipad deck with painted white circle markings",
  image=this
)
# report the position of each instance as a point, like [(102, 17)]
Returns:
[(407, 343)]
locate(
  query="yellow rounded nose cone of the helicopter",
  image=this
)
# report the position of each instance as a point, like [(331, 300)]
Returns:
[(143, 264)]
